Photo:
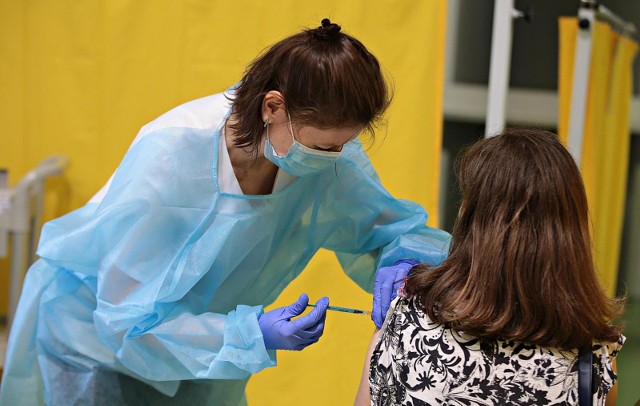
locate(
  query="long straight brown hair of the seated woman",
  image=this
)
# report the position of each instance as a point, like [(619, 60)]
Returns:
[(520, 266)]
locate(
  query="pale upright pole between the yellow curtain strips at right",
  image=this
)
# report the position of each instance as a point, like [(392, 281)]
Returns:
[(580, 86)]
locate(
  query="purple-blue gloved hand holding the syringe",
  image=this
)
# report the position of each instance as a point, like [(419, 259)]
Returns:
[(281, 333)]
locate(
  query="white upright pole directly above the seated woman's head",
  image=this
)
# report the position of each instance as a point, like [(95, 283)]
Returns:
[(503, 14)]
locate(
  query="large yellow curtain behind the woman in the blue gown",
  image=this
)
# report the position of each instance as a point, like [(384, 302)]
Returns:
[(80, 79)]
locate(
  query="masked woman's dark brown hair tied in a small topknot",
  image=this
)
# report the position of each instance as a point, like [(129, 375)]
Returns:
[(328, 80)]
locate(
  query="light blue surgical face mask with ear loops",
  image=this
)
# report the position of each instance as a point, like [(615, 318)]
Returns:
[(300, 160)]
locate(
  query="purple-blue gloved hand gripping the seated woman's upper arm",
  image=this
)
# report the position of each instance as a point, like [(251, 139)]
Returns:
[(388, 281)]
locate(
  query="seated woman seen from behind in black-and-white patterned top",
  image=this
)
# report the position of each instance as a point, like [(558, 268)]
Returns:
[(502, 319)]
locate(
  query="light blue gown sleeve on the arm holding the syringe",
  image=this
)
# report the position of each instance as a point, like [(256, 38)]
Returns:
[(143, 242)]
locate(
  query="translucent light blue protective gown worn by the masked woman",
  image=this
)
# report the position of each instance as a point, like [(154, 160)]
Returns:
[(152, 291)]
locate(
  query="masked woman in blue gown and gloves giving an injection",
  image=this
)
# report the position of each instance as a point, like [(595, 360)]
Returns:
[(153, 292)]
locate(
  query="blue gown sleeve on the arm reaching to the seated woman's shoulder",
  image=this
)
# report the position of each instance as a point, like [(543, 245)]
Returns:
[(374, 229)]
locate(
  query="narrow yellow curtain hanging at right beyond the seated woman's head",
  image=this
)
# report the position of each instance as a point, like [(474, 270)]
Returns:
[(605, 155)]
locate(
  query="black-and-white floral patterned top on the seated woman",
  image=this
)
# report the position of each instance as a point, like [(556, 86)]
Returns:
[(419, 362)]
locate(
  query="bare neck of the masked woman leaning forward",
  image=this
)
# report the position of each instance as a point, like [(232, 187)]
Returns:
[(255, 173)]
